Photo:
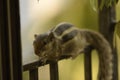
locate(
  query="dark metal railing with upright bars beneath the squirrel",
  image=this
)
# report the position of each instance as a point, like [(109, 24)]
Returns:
[(54, 73)]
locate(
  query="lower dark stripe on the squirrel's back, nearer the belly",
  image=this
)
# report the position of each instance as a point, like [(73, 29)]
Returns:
[(69, 36)]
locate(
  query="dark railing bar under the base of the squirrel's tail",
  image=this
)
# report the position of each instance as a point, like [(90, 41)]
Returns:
[(88, 64)]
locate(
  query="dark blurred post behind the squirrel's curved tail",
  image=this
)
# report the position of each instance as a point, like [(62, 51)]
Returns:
[(107, 18)]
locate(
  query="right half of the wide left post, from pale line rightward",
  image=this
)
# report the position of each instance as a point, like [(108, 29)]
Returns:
[(13, 15)]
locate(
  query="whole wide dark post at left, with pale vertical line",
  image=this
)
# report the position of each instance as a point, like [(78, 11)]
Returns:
[(10, 45)]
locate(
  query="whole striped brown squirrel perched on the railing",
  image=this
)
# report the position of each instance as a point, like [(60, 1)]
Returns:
[(67, 40)]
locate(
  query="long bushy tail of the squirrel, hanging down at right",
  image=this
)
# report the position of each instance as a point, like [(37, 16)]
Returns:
[(104, 50)]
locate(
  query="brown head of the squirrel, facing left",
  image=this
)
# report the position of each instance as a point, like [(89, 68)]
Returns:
[(43, 44)]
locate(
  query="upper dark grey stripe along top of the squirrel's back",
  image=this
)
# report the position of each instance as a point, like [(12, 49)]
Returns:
[(61, 28)]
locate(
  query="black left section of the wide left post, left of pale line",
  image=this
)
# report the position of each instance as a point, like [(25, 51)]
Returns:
[(4, 44)]
